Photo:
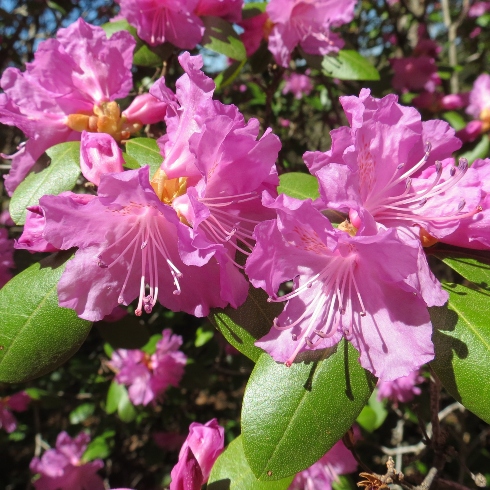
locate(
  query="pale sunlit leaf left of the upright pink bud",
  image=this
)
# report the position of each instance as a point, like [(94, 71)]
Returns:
[(61, 175)]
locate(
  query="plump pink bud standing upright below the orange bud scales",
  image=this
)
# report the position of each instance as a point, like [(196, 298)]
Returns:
[(99, 154)]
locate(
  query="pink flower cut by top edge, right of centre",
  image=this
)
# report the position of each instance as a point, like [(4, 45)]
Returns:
[(307, 24)]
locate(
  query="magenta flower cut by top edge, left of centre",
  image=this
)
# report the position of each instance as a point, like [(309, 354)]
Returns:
[(159, 21)]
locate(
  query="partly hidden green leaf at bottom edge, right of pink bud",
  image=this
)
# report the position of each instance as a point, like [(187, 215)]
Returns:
[(232, 472)]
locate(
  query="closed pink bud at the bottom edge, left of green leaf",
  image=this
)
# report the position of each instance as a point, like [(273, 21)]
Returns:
[(203, 445)]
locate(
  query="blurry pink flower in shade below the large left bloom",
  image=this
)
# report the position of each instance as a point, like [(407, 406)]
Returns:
[(149, 376)]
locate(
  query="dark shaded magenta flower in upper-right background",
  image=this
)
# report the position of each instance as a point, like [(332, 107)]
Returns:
[(415, 74)]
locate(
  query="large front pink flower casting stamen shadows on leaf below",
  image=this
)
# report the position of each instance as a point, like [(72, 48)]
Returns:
[(358, 287)]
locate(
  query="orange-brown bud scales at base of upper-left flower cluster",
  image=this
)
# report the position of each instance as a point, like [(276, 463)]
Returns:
[(106, 118)]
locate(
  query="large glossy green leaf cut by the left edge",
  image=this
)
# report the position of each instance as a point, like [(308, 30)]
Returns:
[(37, 335)]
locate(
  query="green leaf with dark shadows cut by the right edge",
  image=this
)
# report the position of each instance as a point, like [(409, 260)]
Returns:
[(462, 346)]
